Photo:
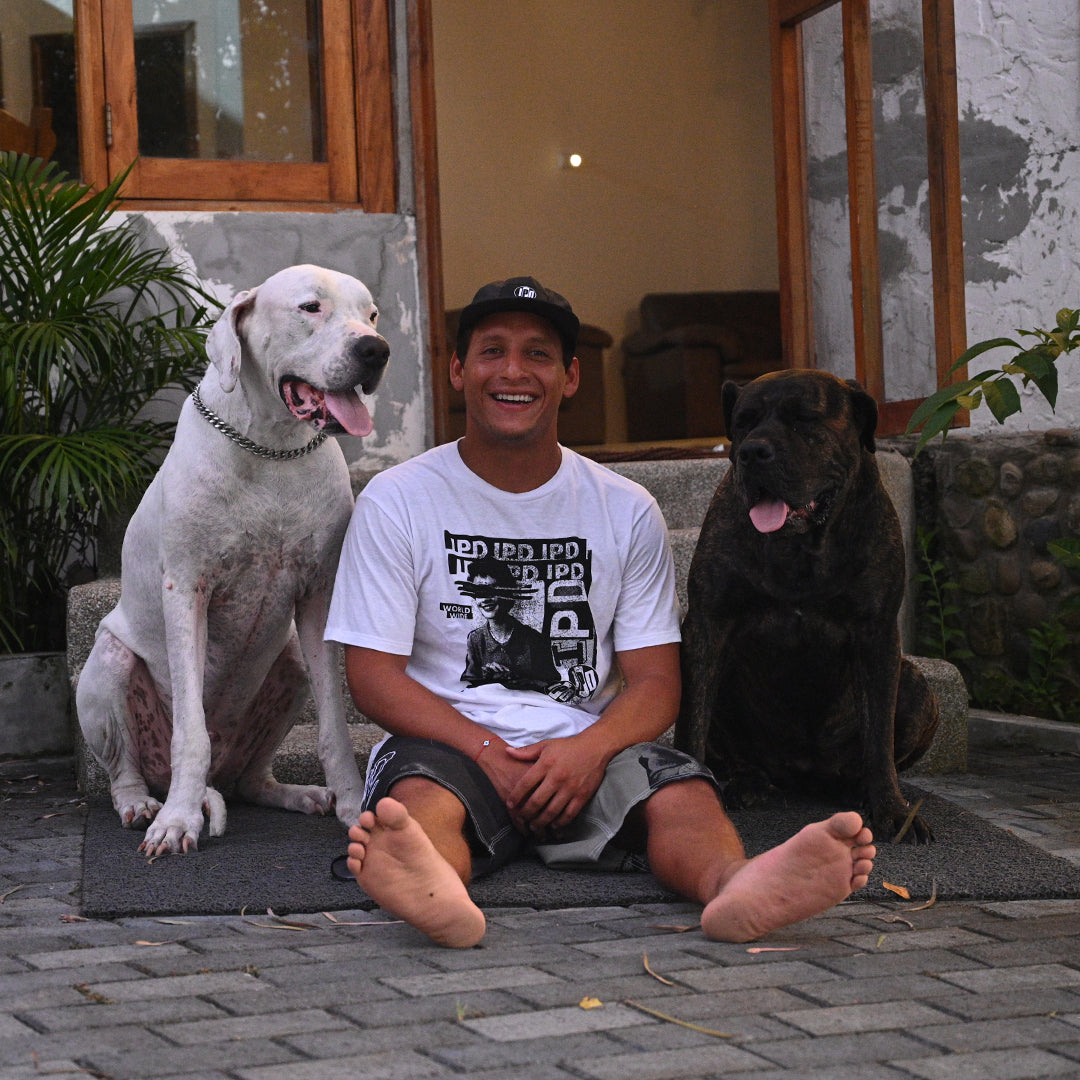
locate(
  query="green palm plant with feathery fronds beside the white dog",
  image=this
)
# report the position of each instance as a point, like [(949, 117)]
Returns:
[(93, 326)]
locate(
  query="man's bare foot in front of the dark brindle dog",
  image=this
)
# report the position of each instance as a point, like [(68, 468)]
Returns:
[(818, 868)]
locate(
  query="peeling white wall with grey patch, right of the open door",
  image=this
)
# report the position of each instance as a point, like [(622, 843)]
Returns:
[(1019, 82)]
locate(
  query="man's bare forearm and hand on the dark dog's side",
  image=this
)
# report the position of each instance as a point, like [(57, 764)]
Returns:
[(564, 774)]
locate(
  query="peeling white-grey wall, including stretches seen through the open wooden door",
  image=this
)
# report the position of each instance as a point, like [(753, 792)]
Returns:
[(1019, 83)]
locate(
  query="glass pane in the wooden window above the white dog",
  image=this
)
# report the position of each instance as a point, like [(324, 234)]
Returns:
[(229, 79)]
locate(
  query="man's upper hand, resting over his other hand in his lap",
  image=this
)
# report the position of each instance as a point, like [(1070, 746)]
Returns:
[(561, 777)]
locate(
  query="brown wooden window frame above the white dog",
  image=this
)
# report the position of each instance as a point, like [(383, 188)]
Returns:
[(358, 120)]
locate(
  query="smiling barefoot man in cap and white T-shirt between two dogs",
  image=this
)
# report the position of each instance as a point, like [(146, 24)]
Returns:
[(472, 773)]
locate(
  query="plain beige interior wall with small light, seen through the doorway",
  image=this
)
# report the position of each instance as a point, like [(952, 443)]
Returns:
[(669, 103)]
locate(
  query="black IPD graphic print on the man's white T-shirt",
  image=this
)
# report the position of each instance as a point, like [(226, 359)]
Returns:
[(531, 601)]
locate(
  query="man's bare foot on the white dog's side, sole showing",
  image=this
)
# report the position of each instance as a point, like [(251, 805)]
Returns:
[(398, 867)]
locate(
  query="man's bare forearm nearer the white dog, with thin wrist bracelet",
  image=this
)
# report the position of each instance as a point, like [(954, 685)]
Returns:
[(387, 695)]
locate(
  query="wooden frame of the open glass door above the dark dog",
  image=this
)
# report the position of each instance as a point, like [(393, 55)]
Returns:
[(943, 153)]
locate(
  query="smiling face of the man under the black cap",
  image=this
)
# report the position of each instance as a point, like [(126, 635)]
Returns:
[(514, 380)]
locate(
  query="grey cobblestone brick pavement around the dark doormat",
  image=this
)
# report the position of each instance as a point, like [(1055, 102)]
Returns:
[(953, 991)]
